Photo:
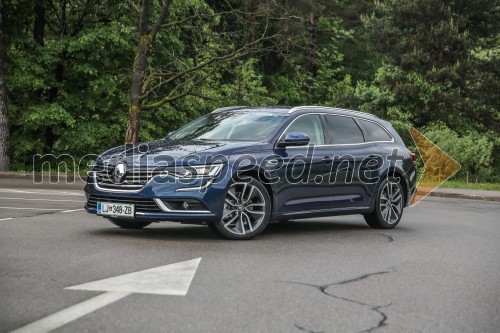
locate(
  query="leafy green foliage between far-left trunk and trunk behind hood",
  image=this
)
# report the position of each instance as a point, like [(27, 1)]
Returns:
[(67, 75)]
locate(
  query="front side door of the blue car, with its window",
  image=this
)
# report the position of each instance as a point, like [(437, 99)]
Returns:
[(302, 170)]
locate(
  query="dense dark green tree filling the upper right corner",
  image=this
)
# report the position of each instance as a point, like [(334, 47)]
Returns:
[(431, 69)]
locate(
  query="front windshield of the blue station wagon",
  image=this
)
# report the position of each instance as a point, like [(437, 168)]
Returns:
[(231, 126)]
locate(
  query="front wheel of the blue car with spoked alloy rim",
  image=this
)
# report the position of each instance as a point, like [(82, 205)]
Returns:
[(246, 213)]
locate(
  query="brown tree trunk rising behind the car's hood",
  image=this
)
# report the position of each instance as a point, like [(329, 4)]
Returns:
[(139, 70)]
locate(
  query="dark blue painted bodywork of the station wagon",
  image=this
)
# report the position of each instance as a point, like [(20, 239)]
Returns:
[(312, 197)]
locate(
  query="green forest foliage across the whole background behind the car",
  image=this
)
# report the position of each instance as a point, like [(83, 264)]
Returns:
[(431, 64)]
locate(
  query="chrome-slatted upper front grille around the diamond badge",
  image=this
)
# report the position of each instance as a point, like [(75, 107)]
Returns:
[(134, 179)]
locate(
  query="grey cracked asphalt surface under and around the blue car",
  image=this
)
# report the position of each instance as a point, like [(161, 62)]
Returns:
[(439, 271)]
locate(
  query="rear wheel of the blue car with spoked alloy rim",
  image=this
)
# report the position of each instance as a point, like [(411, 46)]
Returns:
[(389, 205)]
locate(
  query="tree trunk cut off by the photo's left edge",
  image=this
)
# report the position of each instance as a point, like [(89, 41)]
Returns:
[(4, 117)]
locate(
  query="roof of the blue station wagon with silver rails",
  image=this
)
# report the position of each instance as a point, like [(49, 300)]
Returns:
[(297, 109)]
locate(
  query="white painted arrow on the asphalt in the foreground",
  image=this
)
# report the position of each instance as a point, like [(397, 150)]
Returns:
[(173, 279)]
